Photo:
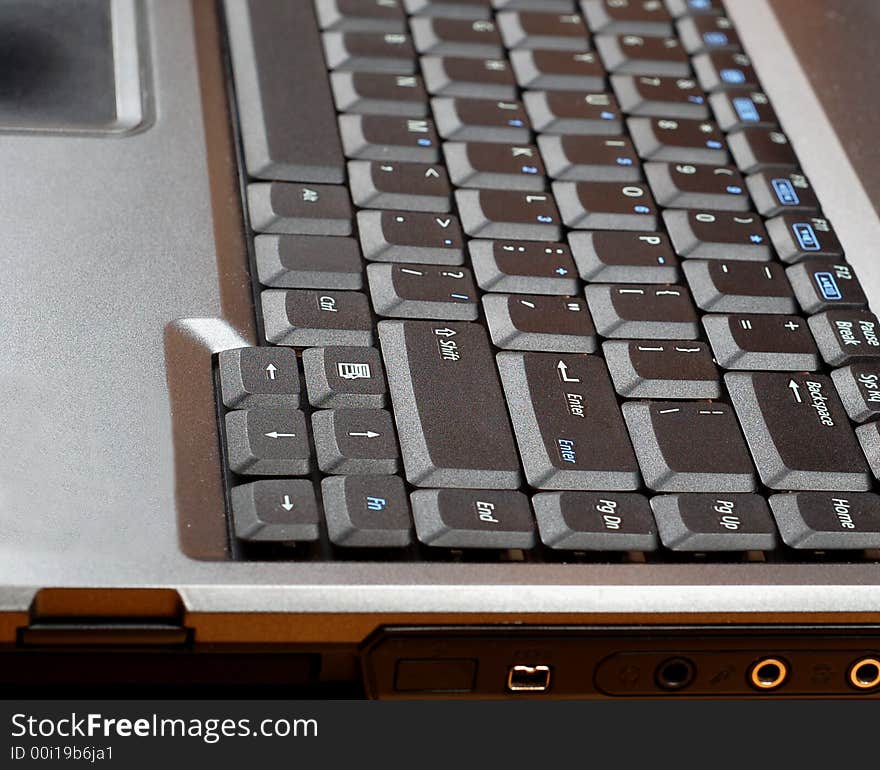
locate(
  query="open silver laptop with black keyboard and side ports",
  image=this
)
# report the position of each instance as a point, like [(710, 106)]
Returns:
[(441, 348)]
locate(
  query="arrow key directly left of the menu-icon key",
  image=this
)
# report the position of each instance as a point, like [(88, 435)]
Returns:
[(256, 377)]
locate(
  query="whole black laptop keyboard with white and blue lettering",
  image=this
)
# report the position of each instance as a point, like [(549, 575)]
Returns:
[(536, 280)]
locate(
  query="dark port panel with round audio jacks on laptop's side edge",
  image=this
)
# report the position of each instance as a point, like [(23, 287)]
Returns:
[(633, 662)]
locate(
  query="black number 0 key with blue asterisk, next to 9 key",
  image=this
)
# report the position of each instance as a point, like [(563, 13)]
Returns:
[(718, 235)]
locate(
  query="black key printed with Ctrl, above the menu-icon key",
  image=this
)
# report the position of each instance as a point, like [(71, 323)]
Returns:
[(314, 318)]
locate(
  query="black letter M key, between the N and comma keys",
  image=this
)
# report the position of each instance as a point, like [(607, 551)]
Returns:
[(388, 138)]
